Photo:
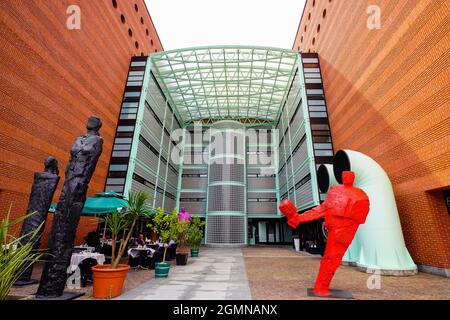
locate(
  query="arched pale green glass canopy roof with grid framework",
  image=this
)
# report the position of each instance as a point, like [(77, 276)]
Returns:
[(228, 82)]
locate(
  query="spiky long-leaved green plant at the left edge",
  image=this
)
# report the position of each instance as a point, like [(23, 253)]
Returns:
[(15, 257)]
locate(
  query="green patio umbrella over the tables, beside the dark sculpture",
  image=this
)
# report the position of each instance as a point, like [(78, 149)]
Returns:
[(100, 204)]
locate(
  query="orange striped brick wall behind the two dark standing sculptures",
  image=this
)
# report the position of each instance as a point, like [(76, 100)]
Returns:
[(53, 79)]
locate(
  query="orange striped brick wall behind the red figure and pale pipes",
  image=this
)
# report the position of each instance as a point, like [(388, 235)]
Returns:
[(387, 94)]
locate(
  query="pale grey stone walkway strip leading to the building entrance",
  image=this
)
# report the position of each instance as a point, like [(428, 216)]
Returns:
[(218, 274)]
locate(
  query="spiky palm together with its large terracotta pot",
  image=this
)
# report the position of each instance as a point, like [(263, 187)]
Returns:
[(109, 278)]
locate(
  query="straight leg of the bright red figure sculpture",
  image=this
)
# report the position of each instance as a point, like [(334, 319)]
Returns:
[(331, 260)]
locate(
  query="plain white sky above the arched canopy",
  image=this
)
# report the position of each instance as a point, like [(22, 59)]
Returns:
[(192, 23)]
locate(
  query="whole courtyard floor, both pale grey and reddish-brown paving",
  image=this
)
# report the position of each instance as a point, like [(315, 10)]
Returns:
[(262, 272)]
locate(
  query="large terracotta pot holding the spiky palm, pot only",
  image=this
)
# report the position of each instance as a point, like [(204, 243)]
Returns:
[(108, 282)]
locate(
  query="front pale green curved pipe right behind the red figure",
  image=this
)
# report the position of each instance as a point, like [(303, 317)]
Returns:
[(379, 243)]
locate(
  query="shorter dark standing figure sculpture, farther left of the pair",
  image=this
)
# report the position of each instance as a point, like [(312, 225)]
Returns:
[(44, 186)]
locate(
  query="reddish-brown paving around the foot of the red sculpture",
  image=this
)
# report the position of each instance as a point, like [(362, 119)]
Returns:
[(282, 273)]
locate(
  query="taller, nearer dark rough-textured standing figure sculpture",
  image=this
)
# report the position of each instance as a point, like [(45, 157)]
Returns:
[(84, 156)]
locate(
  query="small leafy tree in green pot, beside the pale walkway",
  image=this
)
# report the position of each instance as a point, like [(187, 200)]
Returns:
[(166, 226)]
